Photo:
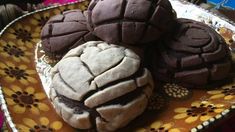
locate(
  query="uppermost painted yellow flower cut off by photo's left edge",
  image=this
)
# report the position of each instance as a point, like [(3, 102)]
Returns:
[(11, 50)]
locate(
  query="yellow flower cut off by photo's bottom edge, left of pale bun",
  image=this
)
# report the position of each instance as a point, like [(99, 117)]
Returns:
[(43, 125)]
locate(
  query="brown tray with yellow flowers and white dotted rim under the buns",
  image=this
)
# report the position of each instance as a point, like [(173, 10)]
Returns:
[(175, 108)]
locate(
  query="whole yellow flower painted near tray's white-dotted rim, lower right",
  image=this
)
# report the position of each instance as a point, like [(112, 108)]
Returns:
[(198, 110)]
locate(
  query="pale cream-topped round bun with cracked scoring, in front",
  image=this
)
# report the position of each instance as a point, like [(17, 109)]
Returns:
[(100, 86)]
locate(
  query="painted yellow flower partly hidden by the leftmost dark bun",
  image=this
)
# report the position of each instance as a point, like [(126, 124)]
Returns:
[(39, 20)]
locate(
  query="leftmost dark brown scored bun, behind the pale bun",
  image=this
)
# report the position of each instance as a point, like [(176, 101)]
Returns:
[(64, 32)]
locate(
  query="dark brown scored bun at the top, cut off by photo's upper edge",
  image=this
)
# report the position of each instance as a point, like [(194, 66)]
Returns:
[(130, 21)]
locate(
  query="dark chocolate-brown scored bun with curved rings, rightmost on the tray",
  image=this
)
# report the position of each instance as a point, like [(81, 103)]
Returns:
[(194, 56)]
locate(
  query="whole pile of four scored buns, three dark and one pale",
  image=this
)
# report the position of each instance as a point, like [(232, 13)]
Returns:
[(111, 56)]
